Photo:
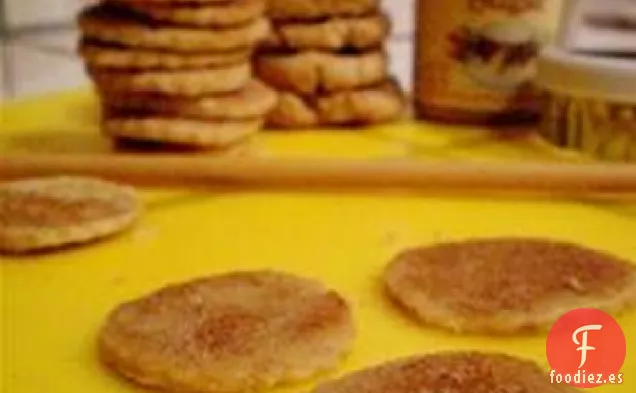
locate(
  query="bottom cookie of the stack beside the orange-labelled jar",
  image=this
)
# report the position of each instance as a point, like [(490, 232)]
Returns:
[(373, 105)]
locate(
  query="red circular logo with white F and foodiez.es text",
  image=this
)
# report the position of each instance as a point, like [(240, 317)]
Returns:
[(586, 348)]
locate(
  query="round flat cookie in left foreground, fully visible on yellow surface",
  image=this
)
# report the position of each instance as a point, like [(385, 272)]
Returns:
[(237, 332)]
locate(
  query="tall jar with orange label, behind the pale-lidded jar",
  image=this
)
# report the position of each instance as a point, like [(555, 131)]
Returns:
[(476, 59)]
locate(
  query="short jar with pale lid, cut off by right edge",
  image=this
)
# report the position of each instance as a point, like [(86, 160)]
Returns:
[(589, 104)]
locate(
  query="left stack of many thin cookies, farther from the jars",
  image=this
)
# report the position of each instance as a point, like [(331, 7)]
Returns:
[(177, 72)]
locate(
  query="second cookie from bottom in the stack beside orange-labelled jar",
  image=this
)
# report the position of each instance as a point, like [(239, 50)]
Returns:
[(312, 73)]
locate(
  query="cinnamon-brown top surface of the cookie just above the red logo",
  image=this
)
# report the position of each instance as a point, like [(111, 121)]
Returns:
[(488, 276)]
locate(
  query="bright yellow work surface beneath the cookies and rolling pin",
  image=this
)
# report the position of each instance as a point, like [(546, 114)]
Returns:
[(52, 306)]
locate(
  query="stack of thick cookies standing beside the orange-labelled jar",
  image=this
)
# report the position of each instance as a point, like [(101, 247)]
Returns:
[(328, 61)]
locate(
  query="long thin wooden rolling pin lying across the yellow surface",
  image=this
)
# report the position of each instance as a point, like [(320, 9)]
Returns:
[(263, 172)]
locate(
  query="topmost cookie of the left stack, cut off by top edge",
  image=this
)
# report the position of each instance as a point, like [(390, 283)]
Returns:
[(214, 14)]
